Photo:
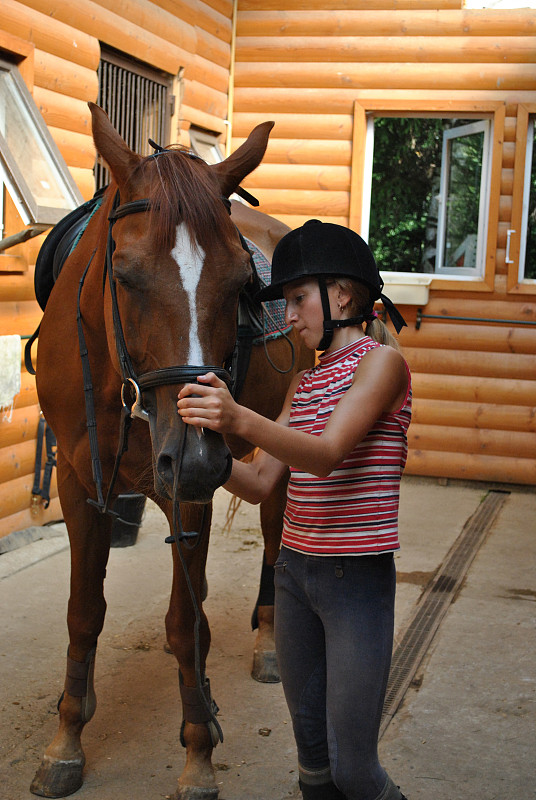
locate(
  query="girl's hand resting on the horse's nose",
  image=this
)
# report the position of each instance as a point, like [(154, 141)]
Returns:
[(208, 404)]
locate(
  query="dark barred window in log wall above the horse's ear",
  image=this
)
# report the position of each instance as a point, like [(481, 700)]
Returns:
[(139, 101)]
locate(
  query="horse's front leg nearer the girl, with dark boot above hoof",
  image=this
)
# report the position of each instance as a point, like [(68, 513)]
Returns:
[(198, 733)]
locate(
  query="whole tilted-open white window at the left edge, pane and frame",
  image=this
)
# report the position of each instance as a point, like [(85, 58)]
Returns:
[(32, 170)]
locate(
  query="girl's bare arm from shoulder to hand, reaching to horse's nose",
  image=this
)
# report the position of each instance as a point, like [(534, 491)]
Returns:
[(379, 387)]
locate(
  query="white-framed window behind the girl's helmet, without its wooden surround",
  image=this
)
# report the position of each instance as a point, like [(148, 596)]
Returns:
[(429, 180)]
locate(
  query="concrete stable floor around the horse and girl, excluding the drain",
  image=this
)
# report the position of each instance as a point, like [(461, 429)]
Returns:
[(466, 728)]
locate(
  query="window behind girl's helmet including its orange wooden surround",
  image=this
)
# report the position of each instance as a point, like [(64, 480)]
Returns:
[(415, 163)]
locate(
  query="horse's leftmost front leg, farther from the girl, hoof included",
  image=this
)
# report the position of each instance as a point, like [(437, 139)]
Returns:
[(60, 773)]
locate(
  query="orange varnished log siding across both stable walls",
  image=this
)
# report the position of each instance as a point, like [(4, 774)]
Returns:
[(305, 64)]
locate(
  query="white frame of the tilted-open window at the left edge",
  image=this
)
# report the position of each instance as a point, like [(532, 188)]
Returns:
[(11, 173)]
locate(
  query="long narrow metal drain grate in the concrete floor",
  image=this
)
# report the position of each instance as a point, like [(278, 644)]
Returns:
[(436, 601)]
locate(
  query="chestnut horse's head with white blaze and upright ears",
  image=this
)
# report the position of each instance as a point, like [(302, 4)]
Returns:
[(178, 267)]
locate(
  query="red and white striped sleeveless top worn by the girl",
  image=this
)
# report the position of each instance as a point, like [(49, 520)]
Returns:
[(354, 510)]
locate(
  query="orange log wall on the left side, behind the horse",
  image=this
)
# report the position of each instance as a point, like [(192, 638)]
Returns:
[(57, 45)]
